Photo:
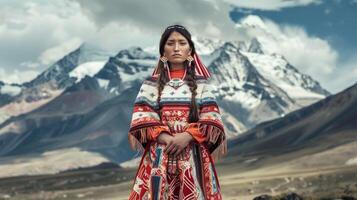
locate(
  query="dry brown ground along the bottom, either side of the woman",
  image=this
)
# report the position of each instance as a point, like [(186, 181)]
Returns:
[(317, 183)]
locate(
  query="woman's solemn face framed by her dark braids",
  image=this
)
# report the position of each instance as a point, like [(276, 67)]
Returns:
[(177, 48)]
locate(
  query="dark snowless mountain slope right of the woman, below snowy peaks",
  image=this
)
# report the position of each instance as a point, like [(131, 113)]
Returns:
[(319, 136)]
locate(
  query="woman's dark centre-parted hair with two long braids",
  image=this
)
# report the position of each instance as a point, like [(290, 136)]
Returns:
[(190, 75)]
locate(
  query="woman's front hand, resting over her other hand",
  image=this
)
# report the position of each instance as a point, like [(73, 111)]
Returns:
[(176, 144)]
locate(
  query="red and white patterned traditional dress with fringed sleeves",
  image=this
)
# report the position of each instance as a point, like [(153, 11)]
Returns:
[(192, 174)]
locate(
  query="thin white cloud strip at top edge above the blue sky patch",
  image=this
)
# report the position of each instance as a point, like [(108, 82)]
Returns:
[(271, 4)]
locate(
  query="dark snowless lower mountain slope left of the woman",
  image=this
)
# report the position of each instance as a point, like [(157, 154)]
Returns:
[(100, 132)]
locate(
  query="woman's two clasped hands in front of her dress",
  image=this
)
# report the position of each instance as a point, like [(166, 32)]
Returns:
[(175, 144)]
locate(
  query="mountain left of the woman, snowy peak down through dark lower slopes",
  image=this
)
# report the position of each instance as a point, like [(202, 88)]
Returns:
[(91, 114)]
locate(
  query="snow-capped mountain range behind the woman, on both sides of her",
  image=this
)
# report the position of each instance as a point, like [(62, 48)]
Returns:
[(93, 106)]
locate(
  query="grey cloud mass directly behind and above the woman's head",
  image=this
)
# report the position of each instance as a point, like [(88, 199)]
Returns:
[(149, 18)]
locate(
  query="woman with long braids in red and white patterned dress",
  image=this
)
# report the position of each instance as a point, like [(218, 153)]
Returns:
[(177, 123)]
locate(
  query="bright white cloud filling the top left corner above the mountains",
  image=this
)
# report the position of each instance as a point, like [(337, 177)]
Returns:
[(32, 33)]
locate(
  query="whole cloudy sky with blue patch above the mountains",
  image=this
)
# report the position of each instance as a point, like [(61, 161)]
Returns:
[(316, 36)]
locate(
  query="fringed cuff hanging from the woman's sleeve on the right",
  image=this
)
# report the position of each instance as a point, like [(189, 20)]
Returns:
[(213, 135)]
